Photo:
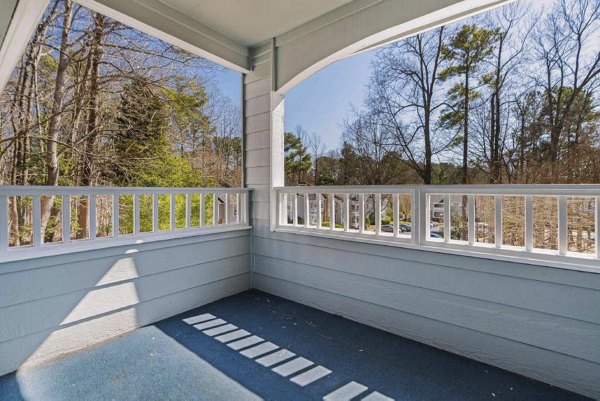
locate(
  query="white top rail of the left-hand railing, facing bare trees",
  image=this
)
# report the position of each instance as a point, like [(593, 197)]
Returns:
[(12, 190)]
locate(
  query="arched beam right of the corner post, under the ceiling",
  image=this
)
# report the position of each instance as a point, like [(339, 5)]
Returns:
[(358, 26)]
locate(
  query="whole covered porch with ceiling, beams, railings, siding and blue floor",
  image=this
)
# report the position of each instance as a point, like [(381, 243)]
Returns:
[(351, 311)]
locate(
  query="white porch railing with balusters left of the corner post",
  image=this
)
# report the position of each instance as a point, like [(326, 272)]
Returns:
[(33, 217)]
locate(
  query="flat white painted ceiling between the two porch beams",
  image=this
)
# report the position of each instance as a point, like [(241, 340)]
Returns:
[(256, 20)]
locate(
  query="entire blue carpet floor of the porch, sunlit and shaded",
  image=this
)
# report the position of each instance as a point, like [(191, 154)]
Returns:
[(265, 347)]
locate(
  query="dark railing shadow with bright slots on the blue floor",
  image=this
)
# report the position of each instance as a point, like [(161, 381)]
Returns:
[(358, 359)]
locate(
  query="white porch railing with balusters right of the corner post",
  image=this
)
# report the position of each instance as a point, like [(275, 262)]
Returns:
[(548, 222)]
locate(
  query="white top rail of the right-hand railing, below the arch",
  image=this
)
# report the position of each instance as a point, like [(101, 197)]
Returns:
[(507, 189)]
